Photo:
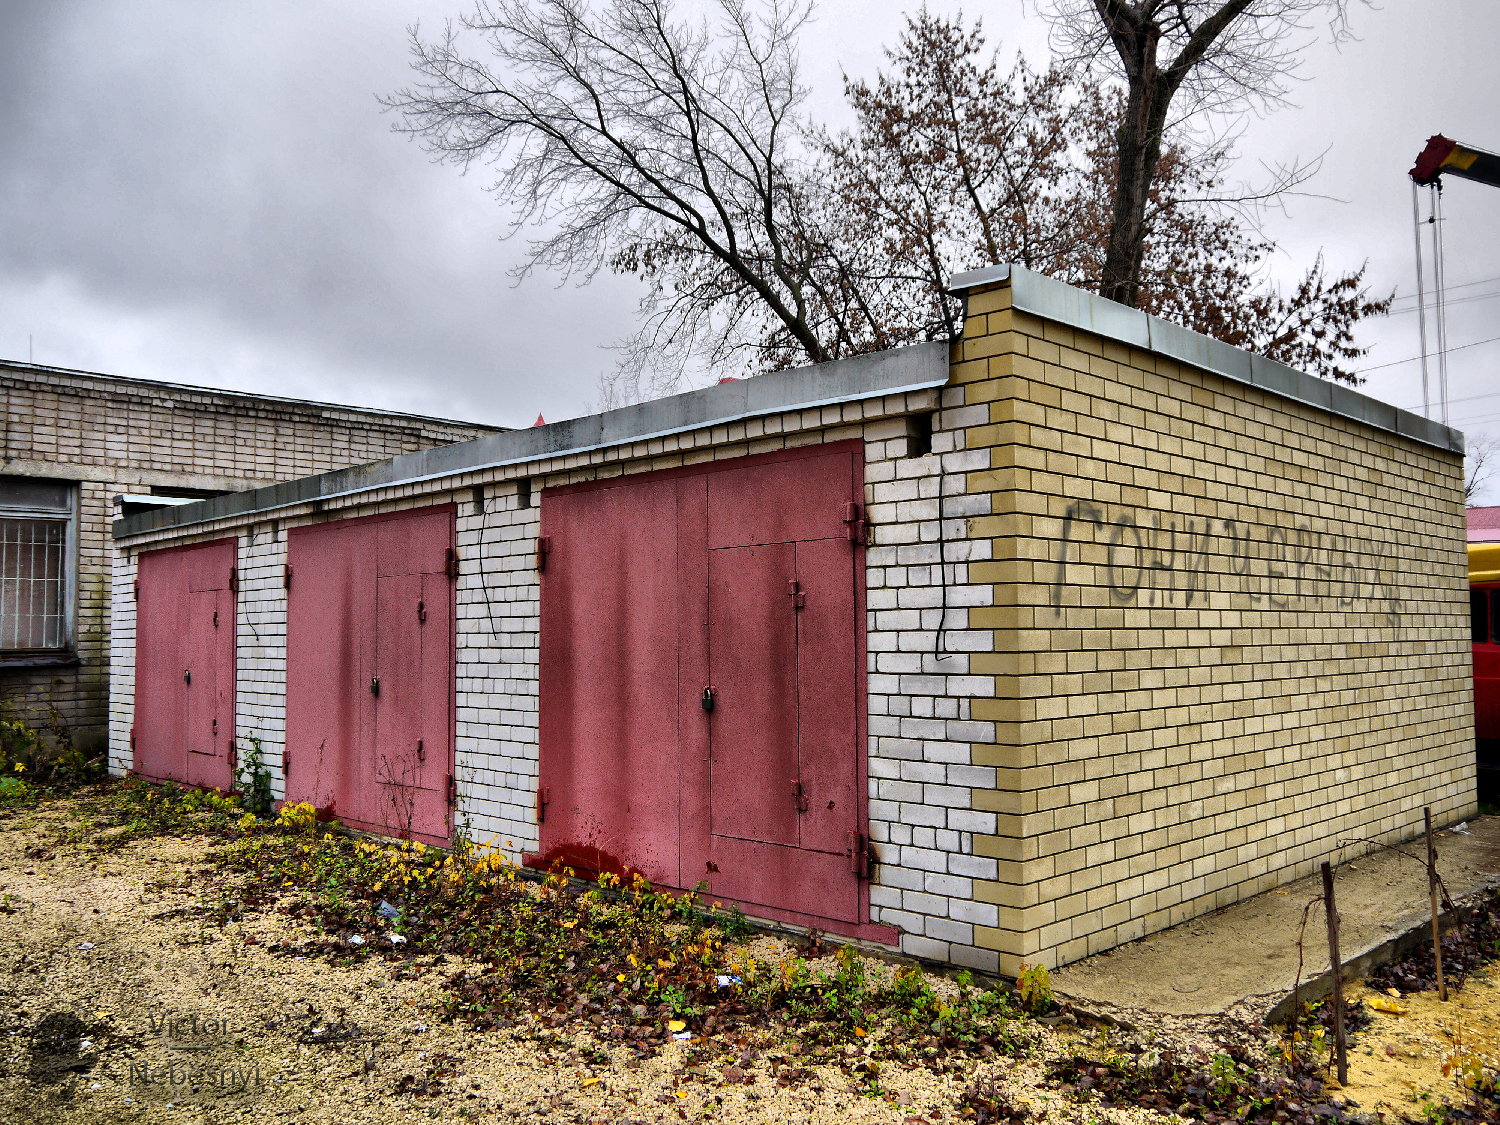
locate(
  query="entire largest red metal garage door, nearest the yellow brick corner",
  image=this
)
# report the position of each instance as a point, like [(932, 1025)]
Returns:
[(745, 583)]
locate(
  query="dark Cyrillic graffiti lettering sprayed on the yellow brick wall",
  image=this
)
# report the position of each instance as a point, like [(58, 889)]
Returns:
[(1159, 560)]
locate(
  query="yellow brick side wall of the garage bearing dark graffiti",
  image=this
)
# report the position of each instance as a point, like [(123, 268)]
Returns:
[(1231, 634)]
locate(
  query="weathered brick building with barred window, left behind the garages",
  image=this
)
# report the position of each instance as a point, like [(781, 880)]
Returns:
[(82, 449)]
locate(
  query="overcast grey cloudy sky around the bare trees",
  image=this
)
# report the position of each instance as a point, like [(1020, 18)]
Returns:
[(211, 194)]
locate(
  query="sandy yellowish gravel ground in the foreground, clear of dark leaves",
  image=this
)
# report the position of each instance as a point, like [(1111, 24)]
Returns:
[(119, 1004)]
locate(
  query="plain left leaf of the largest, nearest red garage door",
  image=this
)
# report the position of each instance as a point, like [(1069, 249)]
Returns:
[(610, 680)]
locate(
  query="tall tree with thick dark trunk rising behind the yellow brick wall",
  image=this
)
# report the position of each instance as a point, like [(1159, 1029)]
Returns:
[(1219, 55)]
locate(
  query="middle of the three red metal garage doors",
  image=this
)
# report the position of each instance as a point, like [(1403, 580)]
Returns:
[(370, 671)]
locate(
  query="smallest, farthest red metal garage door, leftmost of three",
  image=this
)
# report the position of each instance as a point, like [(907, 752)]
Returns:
[(185, 665)]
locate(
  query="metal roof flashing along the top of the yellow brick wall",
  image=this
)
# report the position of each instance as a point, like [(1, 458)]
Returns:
[(1049, 299)]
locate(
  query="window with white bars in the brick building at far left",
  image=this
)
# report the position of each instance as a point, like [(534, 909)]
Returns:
[(37, 523)]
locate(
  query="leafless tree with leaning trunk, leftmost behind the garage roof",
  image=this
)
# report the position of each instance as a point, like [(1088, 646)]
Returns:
[(646, 143)]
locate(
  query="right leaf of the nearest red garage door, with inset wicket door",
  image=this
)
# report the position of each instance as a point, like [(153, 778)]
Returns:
[(785, 818)]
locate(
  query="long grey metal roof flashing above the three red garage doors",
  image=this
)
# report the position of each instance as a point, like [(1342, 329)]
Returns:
[(922, 367)]
